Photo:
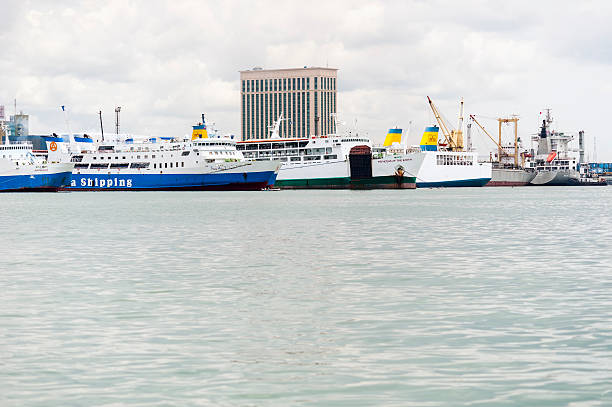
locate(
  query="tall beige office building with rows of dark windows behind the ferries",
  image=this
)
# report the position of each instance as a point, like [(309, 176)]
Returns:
[(306, 98)]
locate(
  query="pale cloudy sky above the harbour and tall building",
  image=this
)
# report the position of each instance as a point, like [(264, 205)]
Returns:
[(165, 62)]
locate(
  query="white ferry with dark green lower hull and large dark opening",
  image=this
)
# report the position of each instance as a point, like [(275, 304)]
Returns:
[(331, 161)]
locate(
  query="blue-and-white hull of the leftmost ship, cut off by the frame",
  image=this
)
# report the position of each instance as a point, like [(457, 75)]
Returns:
[(24, 180)]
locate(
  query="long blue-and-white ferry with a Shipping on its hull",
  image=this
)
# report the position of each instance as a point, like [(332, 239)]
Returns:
[(161, 163)]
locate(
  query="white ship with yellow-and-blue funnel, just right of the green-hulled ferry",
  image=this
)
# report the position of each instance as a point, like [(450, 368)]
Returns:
[(442, 168)]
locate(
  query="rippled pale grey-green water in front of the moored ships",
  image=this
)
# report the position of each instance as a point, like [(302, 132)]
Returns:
[(443, 297)]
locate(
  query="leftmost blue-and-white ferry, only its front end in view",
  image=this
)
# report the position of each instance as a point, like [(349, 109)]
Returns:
[(21, 170)]
